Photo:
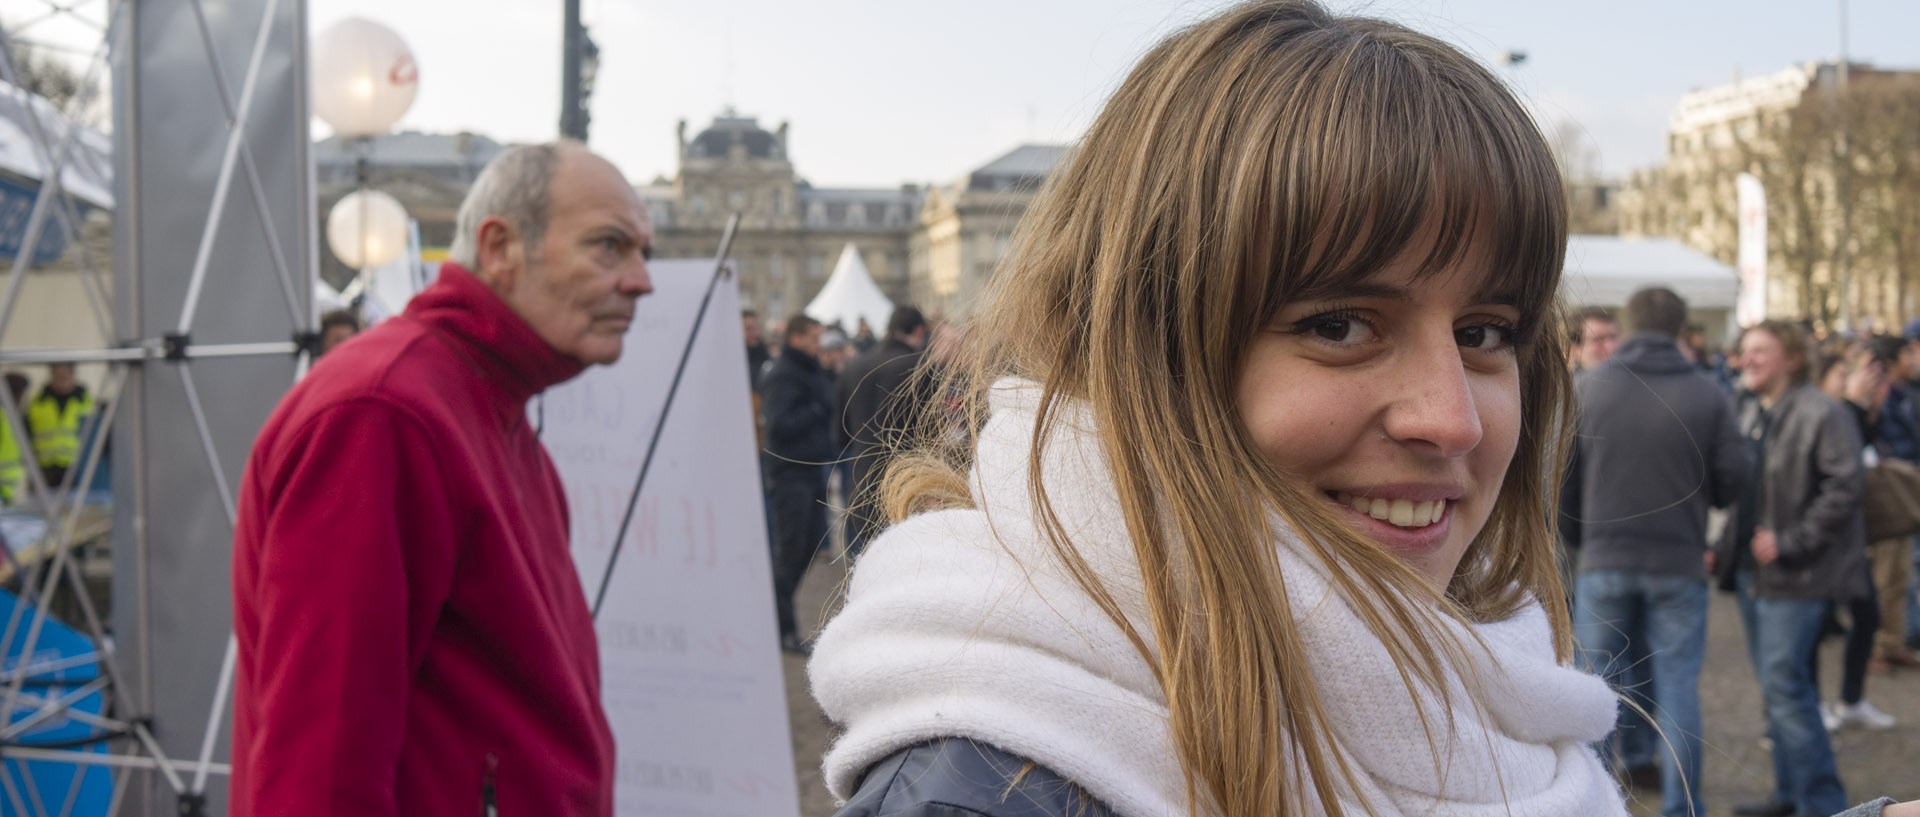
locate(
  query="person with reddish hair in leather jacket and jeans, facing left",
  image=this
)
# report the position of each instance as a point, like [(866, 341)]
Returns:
[(1794, 544)]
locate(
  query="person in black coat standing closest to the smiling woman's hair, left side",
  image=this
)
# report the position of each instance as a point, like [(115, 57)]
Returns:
[(878, 396)]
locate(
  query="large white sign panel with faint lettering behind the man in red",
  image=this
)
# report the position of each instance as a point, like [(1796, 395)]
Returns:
[(690, 657)]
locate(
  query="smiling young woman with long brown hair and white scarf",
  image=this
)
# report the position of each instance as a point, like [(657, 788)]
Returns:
[(1255, 517)]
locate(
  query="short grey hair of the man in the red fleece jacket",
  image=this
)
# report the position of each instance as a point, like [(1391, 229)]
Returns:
[(514, 187)]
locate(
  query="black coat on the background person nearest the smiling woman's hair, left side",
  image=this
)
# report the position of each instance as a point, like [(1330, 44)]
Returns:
[(878, 396)]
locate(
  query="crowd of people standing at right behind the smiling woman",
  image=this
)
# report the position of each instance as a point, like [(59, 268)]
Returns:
[(1785, 432)]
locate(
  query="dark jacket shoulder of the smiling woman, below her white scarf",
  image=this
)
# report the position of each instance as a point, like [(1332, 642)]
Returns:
[(955, 778)]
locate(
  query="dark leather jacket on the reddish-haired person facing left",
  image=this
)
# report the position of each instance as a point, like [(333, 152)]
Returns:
[(1810, 496)]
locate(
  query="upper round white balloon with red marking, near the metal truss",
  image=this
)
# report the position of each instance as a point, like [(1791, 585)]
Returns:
[(364, 78)]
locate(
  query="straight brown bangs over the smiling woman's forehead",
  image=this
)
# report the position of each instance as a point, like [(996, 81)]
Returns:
[(1414, 162)]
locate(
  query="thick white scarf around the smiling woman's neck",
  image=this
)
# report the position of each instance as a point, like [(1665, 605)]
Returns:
[(965, 624)]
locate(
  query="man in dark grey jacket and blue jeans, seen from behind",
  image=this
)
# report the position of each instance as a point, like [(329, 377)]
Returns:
[(1658, 444)]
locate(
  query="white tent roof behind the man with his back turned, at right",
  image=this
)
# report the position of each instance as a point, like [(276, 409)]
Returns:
[(1602, 271)]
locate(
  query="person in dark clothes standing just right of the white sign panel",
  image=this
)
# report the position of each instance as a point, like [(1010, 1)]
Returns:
[(798, 400)]
